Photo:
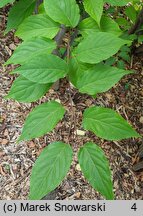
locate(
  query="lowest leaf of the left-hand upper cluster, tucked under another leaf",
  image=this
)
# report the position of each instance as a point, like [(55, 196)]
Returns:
[(26, 91)]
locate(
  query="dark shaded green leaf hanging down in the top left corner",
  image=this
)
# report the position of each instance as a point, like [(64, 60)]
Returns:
[(19, 12)]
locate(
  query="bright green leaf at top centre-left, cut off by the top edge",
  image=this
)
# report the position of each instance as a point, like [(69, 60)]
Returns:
[(64, 11)]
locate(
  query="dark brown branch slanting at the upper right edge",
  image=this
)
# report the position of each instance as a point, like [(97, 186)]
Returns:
[(138, 23)]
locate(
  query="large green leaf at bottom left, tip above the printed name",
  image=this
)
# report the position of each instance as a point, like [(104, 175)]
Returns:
[(50, 169)]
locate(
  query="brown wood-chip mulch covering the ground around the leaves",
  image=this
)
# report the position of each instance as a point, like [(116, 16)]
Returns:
[(16, 160)]
